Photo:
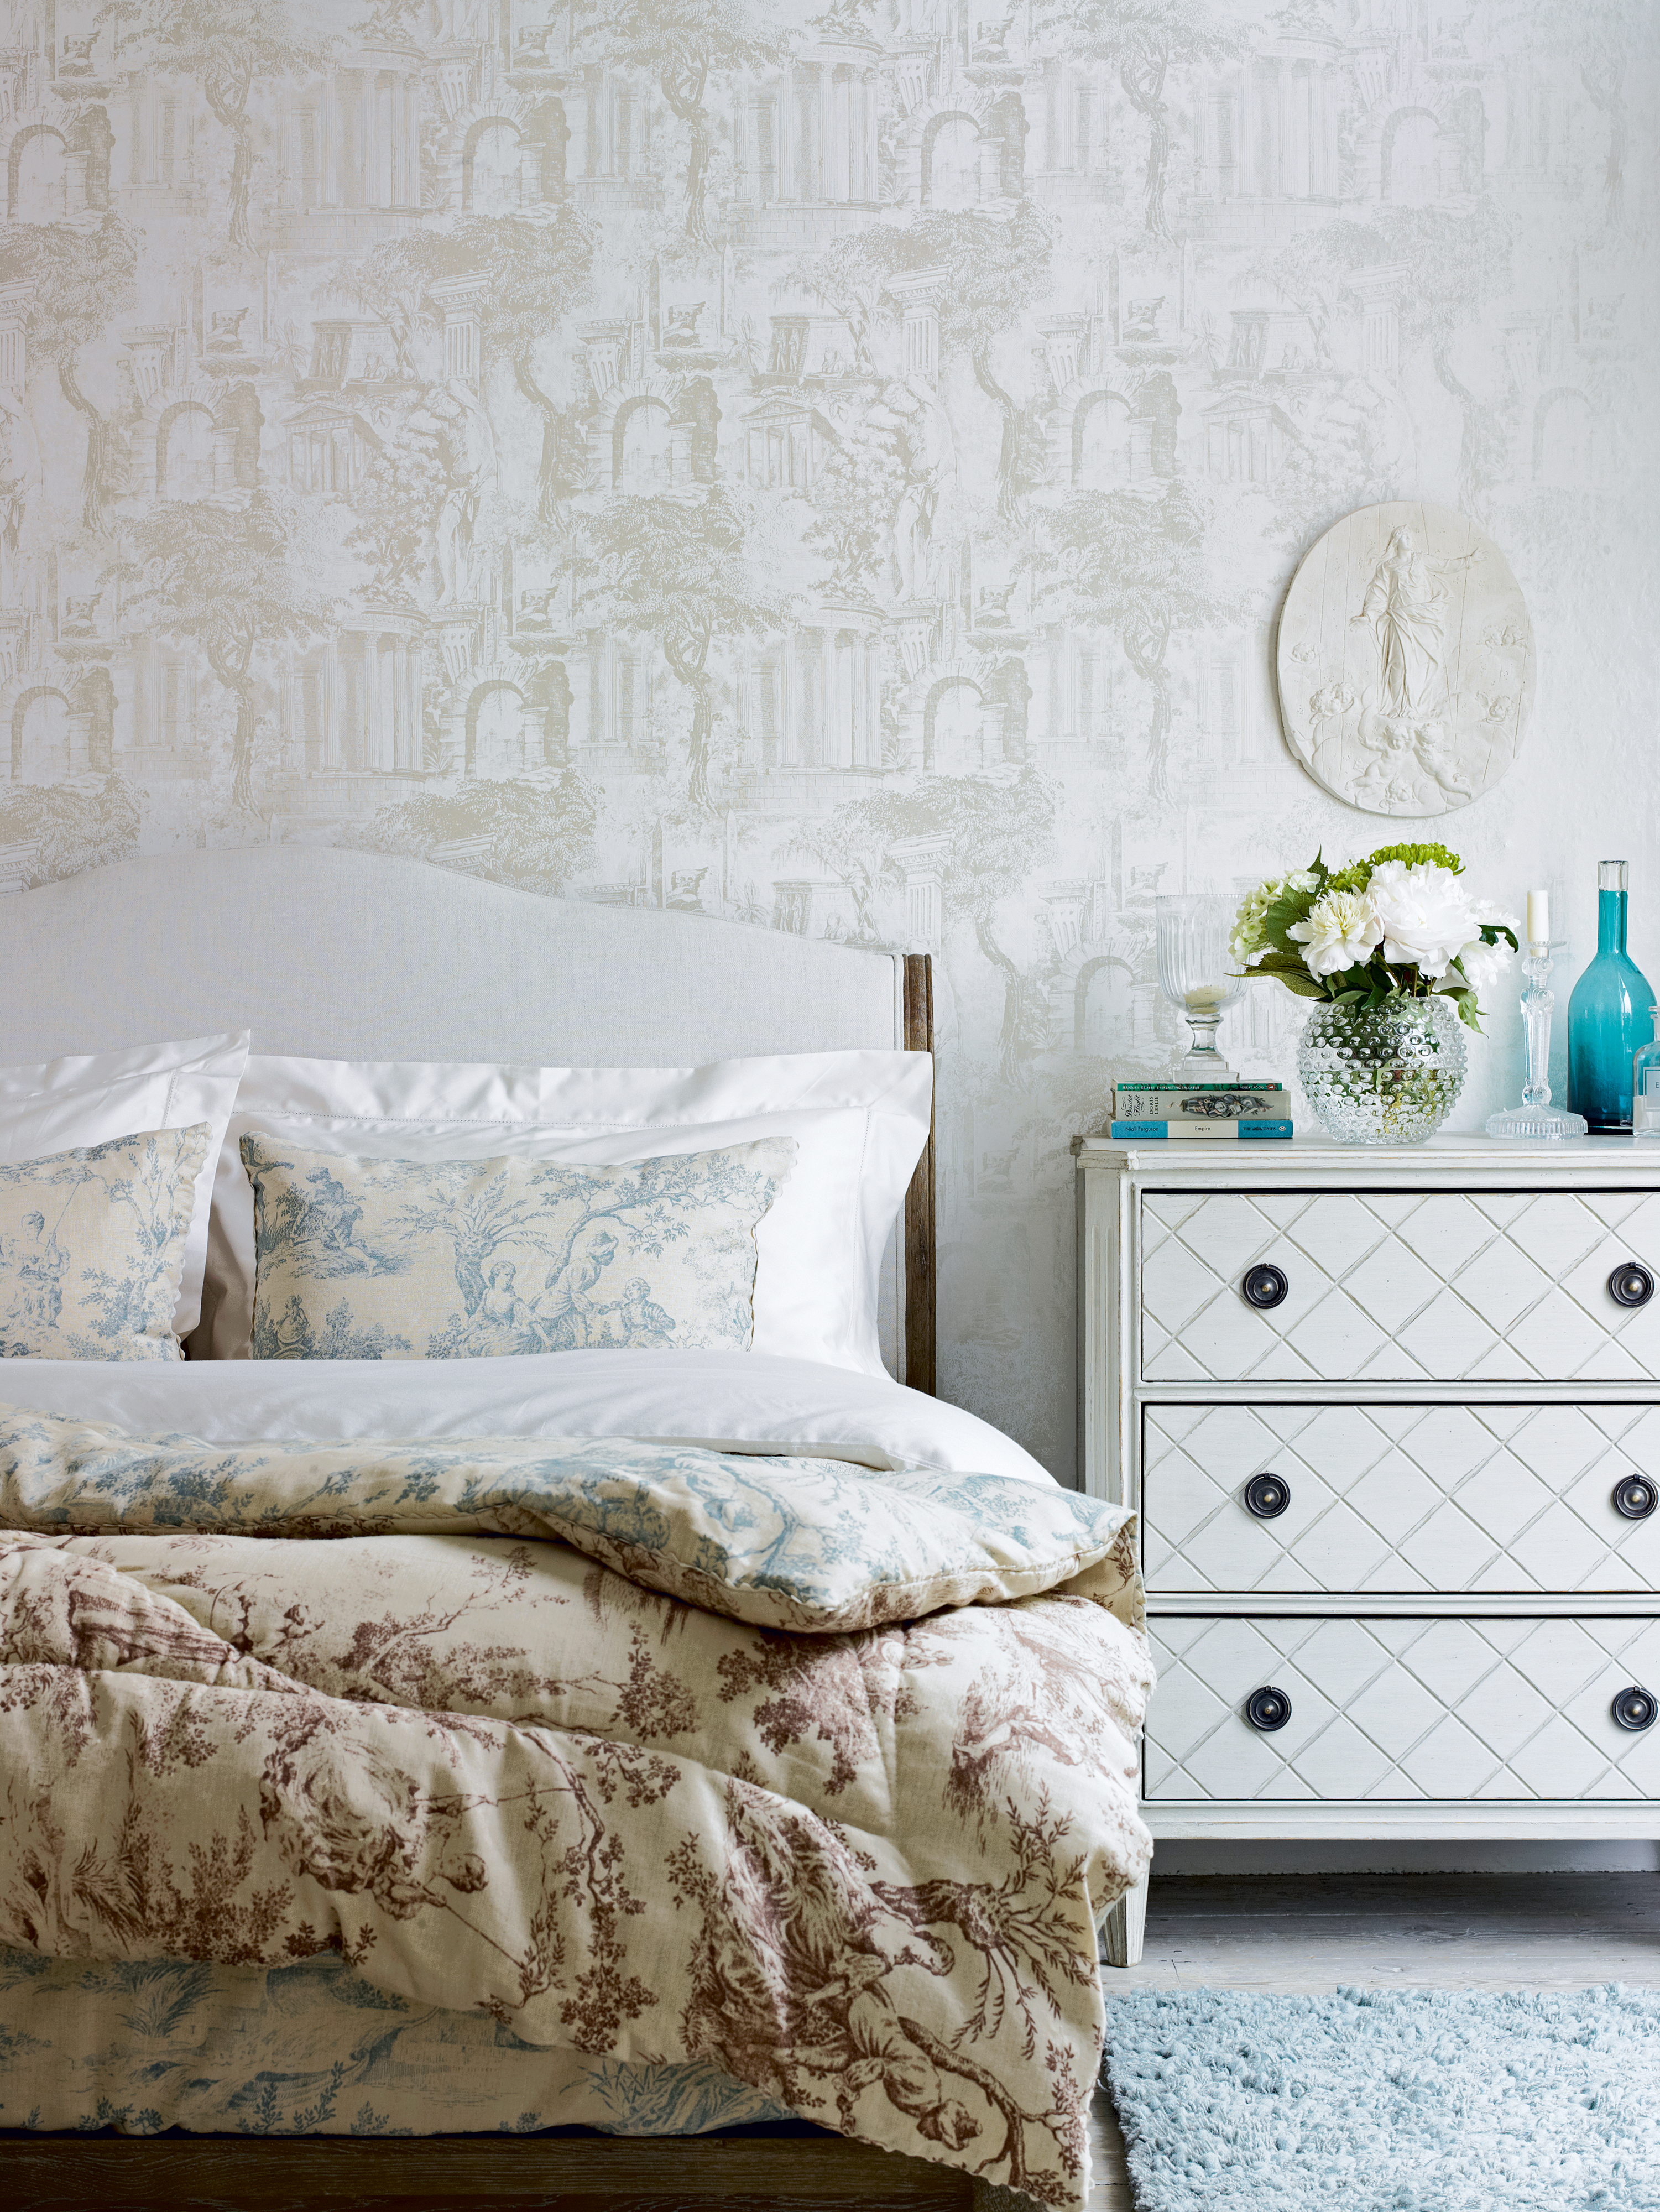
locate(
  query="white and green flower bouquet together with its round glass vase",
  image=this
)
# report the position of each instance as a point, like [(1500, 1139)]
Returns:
[(1396, 948)]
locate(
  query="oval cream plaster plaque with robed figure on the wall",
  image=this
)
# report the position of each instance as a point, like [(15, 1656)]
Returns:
[(1404, 660)]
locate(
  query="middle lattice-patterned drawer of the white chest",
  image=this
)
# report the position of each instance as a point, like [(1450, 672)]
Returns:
[(1402, 1499)]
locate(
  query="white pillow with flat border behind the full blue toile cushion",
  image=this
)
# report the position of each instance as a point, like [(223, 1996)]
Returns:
[(860, 1123)]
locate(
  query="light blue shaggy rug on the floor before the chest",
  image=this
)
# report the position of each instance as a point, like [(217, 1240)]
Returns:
[(1389, 2100)]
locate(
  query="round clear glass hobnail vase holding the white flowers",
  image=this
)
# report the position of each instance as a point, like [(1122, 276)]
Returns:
[(1382, 1078)]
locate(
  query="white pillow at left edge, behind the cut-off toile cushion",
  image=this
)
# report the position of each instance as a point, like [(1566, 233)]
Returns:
[(70, 1105)]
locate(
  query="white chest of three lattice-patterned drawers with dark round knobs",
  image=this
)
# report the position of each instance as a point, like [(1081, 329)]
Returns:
[(1391, 1421)]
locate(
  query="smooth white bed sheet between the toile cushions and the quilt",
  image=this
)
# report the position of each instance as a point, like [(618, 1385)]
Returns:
[(729, 1399)]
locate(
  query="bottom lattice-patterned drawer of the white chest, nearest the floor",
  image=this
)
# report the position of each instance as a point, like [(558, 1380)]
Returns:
[(1402, 1709)]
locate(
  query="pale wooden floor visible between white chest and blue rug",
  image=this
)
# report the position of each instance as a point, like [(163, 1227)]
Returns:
[(1384, 1932)]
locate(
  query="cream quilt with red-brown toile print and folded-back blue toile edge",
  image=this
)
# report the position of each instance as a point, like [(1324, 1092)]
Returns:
[(453, 1715)]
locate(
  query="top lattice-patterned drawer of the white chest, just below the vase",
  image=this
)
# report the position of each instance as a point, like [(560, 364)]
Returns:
[(1398, 1286)]
